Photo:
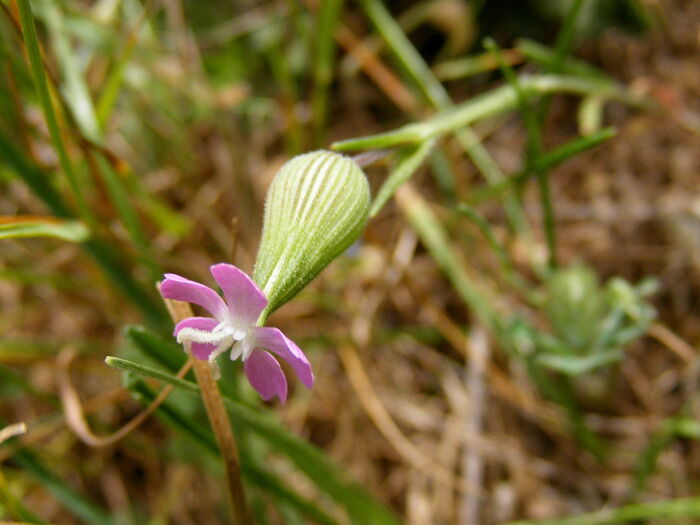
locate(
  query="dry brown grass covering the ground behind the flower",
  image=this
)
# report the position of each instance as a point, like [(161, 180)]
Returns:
[(443, 427)]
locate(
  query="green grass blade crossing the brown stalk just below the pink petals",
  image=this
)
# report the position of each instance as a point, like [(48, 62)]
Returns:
[(329, 478)]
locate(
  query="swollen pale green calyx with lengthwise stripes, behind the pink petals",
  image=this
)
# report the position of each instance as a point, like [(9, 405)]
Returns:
[(316, 207)]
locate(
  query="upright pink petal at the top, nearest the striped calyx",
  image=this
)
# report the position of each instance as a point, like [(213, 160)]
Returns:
[(245, 300)]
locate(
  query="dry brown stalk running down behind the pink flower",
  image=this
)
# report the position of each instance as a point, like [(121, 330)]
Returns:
[(219, 422)]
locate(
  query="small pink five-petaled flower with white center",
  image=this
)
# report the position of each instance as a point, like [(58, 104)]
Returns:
[(234, 326)]
